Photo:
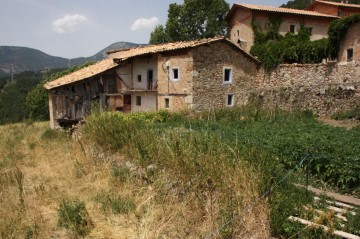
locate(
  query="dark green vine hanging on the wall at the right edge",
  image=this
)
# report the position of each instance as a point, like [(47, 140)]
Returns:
[(337, 31)]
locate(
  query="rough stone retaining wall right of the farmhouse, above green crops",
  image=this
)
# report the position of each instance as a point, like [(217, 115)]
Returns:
[(322, 88)]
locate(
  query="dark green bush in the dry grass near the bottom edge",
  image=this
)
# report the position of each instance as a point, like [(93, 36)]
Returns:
[(73, 215)]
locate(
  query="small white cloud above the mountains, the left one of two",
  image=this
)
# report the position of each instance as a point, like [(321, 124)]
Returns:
[(67, 23)]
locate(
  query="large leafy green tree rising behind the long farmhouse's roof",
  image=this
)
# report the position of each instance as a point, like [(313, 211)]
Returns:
[(195, 19)]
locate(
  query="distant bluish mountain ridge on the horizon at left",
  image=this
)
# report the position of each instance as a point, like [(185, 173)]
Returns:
[(19, 59)]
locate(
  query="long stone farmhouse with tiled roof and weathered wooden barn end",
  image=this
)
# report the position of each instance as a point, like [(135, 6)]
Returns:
[(203, 74)]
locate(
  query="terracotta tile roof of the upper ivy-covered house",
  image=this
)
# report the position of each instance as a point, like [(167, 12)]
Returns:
[(278, 10)]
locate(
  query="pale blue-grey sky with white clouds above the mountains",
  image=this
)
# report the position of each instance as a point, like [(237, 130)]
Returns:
[(81, 28)]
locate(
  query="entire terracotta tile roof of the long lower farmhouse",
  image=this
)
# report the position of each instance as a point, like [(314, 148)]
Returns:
[(117, 56)]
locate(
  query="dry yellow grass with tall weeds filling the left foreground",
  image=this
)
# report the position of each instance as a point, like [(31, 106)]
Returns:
[(175, 192)]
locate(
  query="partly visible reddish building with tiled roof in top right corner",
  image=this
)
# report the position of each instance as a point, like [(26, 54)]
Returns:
[(334, 8)]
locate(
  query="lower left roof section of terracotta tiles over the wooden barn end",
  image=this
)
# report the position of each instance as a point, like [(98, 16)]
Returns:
[(82, 74)]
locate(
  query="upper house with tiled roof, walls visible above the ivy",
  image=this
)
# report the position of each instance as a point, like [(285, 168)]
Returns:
[(242, 16)]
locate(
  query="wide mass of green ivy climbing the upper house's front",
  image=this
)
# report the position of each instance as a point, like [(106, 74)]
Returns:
[(273, 49)]
